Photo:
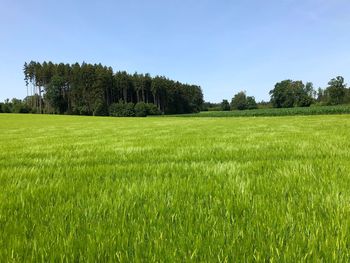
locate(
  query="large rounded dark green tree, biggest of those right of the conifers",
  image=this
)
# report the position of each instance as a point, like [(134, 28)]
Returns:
[(288, 94)]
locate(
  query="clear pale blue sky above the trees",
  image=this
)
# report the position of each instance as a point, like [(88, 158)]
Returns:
[(223, 46)]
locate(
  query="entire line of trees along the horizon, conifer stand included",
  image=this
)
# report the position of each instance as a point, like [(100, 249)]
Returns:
[(93, 89)]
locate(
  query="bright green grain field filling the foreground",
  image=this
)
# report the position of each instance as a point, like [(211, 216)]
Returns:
[(97, 189)]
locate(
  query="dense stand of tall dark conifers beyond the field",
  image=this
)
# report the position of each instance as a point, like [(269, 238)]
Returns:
[(88, 89)]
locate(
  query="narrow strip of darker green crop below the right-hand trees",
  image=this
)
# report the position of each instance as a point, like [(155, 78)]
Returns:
[(313, 110)]
